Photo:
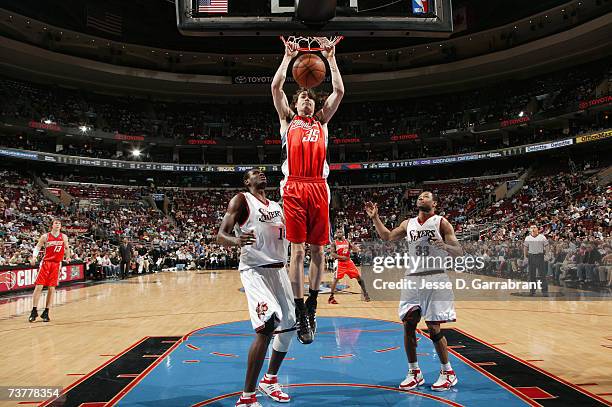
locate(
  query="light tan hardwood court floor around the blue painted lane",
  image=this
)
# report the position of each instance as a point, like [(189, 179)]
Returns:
[(572, 340)]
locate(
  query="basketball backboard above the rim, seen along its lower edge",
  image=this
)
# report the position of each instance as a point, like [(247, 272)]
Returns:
[(418, 18)]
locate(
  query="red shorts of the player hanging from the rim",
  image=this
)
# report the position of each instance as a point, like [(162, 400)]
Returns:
[(306, 207)]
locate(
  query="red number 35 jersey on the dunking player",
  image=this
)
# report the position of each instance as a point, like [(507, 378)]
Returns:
[(305, 148)]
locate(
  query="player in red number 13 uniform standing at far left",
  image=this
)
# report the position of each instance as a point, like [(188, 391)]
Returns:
[(56, 246)]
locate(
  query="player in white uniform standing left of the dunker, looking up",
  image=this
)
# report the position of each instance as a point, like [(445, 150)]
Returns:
[(259, 232)]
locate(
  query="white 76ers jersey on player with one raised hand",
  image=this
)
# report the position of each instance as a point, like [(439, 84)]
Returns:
[(420, 246)]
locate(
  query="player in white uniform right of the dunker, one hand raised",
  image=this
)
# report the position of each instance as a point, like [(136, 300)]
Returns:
[(432, 238)]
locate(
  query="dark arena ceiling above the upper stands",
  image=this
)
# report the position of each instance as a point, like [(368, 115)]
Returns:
[(153, 23)]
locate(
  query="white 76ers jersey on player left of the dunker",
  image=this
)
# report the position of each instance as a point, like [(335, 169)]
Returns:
[(266, 221)]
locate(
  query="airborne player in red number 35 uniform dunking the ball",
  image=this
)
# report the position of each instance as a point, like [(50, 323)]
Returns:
[(304, 189)]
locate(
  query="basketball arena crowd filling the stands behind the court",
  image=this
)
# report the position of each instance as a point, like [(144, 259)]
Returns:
[(565, 197)]
